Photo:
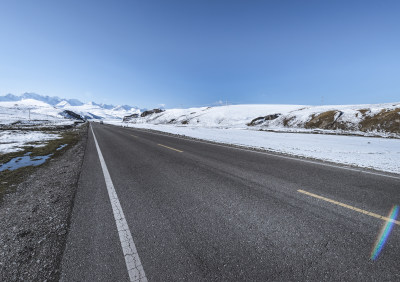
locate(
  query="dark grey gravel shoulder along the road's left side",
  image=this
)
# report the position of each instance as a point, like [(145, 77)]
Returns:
[(34, 219)]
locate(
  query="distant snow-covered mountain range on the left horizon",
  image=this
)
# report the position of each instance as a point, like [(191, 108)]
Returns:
[(45, 107)]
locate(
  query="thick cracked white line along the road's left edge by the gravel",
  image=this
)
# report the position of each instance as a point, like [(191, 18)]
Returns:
[(132, 260)]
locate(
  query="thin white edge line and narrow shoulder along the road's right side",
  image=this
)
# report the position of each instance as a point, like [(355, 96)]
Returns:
[(264, 153)]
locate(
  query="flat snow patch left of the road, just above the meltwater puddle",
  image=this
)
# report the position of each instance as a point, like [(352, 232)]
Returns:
[(16, 140)]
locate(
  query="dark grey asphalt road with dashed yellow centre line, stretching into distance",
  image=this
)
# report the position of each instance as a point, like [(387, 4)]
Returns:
[(202, 212)]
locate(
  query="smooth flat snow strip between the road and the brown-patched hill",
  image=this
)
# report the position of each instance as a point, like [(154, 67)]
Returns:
[(376, 153)]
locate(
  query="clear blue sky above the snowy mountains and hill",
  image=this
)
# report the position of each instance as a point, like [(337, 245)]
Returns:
[(193, 53)]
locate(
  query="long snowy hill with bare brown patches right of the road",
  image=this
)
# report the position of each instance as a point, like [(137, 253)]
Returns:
[(373, 119)]
